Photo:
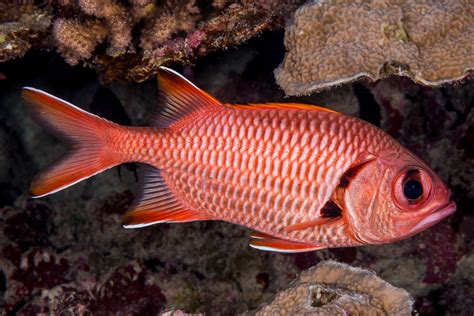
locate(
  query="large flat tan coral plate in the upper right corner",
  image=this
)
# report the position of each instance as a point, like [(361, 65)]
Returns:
[(333, 42)]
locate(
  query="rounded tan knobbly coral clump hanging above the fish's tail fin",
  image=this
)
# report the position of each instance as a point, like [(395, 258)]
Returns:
[(76, 40)]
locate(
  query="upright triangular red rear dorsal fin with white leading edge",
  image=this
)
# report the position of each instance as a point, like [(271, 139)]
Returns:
[(178, 98)]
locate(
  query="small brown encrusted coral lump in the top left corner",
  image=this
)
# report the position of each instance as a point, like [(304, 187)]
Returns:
[(22, 25)]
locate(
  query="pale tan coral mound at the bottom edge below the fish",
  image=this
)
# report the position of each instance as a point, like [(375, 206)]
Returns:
[(333, 288)]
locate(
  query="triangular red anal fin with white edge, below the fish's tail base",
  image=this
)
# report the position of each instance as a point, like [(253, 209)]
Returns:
[(155, 203)]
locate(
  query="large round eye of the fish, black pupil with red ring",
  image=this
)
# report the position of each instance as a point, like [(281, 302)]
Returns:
[(412, 188)]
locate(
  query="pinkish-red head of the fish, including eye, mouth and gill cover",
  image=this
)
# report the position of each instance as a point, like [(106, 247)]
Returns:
[(394, 197)]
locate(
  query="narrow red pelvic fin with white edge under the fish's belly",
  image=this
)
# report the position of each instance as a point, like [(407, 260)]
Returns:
[(269, 243)]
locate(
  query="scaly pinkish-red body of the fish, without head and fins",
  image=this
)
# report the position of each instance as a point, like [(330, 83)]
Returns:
[(197, 174)]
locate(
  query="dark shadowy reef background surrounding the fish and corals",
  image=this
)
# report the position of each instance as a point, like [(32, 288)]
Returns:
[(68, 253)]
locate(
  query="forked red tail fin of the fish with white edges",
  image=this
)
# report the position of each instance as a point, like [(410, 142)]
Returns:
[(87, 134)]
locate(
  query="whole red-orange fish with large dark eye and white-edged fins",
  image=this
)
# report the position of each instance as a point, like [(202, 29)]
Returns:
[(301, 177)]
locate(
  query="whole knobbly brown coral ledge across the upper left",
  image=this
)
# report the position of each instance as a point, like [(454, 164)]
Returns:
[(129, 40)]
